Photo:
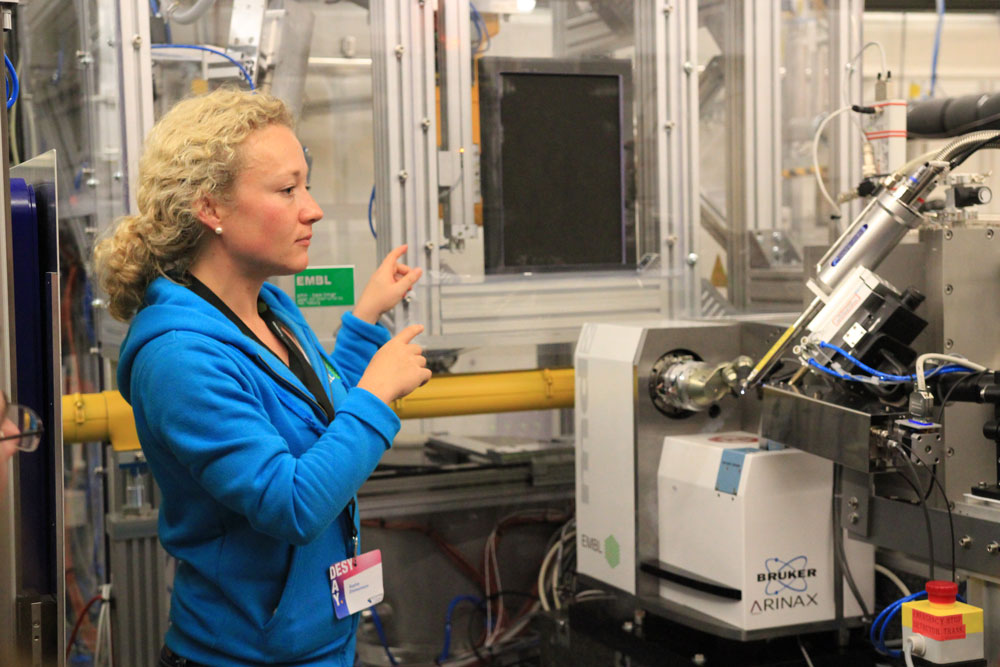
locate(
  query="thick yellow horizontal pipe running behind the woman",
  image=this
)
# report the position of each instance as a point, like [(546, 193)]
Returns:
[(104, 416)]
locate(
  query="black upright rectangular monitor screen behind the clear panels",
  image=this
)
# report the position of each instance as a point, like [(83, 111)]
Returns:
[(554, 170)]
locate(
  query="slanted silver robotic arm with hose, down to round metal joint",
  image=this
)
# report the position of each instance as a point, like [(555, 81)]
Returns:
[(852, 306)]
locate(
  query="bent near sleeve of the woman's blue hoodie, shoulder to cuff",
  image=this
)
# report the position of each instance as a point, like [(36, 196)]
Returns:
[(207, 415)]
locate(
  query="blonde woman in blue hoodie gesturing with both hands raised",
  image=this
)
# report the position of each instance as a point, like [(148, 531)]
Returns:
[(257, 438)]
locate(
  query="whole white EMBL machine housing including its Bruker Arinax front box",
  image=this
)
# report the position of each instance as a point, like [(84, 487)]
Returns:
[(630, 530)]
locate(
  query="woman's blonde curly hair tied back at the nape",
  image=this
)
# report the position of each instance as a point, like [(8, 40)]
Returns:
[(193, 151)]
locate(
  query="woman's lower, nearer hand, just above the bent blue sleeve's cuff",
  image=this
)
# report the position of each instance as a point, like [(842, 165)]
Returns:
[(397, 368)]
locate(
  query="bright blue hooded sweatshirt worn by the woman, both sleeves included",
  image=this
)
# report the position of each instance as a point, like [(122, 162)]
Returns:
[(254, 483)]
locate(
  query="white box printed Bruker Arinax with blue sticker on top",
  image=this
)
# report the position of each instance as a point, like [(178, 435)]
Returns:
[(756, 526)]
